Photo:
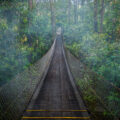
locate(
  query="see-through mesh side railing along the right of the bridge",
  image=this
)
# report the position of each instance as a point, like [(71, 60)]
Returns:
[(92, 84)]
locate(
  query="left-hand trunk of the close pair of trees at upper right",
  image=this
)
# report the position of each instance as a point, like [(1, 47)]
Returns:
[(96, 15)]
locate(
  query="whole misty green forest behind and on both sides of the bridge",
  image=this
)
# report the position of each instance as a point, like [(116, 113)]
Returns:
[(91, 31)]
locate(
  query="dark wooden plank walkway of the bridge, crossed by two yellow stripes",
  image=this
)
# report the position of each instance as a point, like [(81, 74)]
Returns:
[(56, 98)]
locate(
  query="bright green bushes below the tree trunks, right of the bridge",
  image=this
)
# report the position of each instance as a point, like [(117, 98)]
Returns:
[(102, 56)]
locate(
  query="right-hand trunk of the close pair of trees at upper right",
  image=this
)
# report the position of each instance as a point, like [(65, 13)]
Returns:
[(102, 15)]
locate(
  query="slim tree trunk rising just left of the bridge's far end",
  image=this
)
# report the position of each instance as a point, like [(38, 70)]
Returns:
[(52, 18)]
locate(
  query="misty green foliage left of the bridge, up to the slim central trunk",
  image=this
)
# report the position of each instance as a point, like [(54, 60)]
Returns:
[(25, 38)]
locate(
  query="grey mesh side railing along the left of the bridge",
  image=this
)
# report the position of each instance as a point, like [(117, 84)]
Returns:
[(16, 94)]
